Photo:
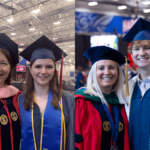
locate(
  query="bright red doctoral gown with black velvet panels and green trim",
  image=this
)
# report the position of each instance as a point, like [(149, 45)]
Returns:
[(92, 127)]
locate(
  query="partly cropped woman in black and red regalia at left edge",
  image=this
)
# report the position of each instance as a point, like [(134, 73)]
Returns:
[(10, 129)]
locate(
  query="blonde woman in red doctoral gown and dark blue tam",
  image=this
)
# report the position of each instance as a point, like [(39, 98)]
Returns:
[(100, 118)]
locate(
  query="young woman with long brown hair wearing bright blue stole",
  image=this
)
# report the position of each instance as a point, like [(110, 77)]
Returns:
[(47, 114)]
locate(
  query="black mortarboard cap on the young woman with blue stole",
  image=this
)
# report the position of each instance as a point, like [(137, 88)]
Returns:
[(42, 48)]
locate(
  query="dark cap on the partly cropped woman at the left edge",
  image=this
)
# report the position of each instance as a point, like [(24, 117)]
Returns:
[(9, 45)]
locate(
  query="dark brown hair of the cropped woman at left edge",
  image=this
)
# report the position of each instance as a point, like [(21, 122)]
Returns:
[(8, 57)]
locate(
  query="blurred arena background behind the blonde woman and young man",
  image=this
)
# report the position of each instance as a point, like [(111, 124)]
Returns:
[(105, 22)]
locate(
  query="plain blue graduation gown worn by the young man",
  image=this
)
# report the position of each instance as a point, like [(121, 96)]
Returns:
[(139, 120)]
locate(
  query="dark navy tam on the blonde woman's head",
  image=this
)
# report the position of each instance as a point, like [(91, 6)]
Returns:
[(95, 54)]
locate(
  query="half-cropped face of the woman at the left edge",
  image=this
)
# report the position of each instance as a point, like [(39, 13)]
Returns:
[(4, 69)]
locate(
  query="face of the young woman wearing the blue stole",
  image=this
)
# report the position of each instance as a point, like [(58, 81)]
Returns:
[(42, 71)]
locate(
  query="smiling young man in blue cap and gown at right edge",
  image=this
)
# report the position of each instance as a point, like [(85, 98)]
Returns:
[(138, 110)]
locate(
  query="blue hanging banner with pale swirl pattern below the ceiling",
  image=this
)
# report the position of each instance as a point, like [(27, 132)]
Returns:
[(92, 22)]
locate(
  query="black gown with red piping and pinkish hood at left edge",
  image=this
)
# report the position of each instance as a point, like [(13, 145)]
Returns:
[(10, 123)]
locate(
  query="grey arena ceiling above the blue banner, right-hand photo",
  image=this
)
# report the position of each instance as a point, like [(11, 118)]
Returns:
[(135, 8)]
